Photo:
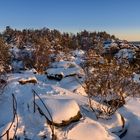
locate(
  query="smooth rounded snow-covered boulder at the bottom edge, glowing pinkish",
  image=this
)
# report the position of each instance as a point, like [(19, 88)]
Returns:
[(90, 130)]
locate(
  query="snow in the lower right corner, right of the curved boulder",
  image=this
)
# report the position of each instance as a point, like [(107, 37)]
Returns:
[(132, 112)]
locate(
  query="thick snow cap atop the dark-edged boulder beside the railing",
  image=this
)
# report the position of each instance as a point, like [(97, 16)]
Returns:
[(60, 109)]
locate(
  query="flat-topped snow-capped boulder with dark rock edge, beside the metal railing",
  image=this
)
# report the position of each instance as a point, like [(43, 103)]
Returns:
[(63, 111)]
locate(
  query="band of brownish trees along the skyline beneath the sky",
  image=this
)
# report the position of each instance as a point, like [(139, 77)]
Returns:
[(31, 37)]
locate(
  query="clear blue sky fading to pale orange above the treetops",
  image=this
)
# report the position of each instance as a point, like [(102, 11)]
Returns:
[(118, 17)]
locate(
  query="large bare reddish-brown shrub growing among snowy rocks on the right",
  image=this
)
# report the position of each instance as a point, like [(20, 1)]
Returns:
[(109, 82)]
